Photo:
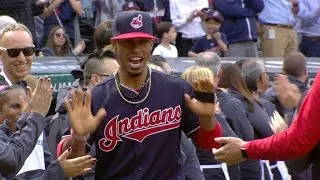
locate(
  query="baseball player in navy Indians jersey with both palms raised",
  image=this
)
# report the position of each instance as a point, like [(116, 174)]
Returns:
[(139, 112)]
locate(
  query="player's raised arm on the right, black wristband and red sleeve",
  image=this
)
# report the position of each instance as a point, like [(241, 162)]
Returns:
[(203, 106)]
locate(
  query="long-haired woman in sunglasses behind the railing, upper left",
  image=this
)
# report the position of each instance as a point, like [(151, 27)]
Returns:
[(59, 45)]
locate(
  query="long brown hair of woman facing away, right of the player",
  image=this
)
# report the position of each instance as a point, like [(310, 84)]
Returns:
[(231, 78)]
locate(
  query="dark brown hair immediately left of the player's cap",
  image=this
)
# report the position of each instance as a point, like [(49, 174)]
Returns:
[(102, 35)]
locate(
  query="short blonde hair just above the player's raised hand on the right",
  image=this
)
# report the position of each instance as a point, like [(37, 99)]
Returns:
[(195, 73)]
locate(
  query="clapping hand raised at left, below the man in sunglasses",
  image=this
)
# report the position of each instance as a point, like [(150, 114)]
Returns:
[(41, 97)]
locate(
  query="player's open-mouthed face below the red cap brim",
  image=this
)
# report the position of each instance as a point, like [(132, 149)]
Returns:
[(133, 54)]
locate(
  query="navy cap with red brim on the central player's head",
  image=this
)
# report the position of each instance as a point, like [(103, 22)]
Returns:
[(132, 24)]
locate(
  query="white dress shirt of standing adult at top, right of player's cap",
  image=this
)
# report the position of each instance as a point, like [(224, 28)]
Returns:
[(180, 10)]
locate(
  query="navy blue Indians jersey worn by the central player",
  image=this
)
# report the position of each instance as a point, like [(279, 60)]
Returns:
[(142, 141)]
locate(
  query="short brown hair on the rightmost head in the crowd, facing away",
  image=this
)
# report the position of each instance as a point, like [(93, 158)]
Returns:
[(295, 64)]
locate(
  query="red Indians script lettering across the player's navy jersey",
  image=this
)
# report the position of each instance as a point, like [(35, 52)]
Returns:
[(140, 126)]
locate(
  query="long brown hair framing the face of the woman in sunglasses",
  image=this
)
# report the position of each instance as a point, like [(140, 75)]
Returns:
[(65, 49)]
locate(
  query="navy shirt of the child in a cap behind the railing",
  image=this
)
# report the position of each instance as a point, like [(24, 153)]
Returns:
[(204, 44)]
